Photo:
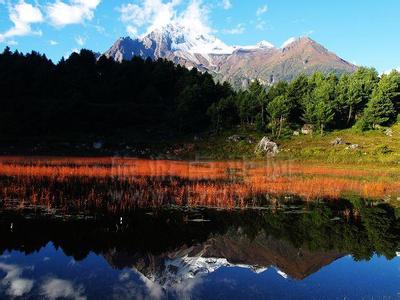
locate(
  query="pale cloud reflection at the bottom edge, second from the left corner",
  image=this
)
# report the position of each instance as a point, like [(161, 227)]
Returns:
[(55, 288)]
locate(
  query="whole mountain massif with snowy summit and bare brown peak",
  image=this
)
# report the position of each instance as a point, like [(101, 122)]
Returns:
[(239, 64)]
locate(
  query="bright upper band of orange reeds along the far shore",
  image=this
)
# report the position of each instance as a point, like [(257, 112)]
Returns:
[(107, 166)]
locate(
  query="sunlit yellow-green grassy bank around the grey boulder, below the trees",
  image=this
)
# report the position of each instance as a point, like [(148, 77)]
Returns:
[(374, 147)]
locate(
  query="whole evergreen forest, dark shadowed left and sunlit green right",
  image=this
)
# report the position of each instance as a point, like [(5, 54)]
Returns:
[(85, 95)]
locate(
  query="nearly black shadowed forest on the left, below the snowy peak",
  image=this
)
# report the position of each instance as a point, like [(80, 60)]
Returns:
[(88, 96)]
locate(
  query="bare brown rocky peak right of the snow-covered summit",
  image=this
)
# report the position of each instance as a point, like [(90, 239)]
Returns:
[(274, 64)]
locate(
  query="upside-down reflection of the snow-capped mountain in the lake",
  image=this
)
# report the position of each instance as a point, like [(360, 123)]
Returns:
[(180, 266)]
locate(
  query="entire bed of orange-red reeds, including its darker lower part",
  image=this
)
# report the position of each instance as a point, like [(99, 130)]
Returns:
[(91, 183)]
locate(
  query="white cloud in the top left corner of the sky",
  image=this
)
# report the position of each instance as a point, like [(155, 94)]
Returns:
[(22, 15)]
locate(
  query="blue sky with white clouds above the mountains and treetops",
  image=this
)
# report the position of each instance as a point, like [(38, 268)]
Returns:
[(364, 32)]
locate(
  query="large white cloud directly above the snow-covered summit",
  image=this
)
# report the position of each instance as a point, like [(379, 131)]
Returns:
[(154, 14)]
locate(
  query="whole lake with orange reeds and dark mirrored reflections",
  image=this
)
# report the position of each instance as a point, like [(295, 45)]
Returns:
[(114, 228)]
